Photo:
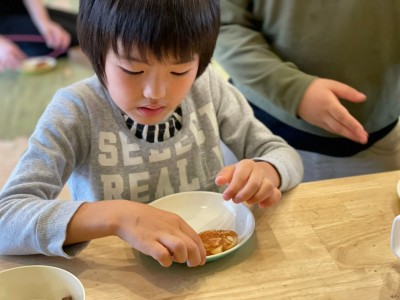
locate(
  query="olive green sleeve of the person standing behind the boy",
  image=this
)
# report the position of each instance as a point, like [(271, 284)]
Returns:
[(244, 53)]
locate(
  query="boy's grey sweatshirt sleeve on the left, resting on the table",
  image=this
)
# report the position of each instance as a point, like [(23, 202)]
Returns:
[(32, 219)]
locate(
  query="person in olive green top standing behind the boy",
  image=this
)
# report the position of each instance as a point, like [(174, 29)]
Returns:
[(324, 75)]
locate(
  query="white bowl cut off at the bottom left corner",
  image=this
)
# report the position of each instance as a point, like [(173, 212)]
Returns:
[(39, 282)]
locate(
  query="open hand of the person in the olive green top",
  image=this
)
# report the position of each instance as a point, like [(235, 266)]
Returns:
[(321, 107)]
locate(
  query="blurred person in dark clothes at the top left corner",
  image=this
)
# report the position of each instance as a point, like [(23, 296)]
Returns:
[(28, 28)]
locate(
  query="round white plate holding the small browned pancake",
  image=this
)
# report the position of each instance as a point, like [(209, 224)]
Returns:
[(208, 210)]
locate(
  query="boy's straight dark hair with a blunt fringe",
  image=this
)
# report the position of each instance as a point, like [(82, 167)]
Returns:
[(175, 29)]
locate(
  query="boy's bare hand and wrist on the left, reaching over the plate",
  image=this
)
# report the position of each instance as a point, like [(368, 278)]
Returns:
[(163, 235)]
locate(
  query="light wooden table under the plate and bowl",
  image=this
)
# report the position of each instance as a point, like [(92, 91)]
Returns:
[(325, 240)]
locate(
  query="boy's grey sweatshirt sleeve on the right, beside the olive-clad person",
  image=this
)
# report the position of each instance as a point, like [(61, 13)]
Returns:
[(249, 138)]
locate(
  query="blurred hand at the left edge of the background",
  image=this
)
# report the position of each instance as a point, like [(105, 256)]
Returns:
[(11, 55)]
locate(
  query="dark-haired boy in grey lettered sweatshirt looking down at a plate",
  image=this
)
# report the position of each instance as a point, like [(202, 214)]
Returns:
[(147, 125)]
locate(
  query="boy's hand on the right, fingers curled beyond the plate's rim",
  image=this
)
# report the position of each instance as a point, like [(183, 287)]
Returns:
[(251, 182)]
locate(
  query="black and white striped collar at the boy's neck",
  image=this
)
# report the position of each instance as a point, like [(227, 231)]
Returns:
[(159, 132)]
